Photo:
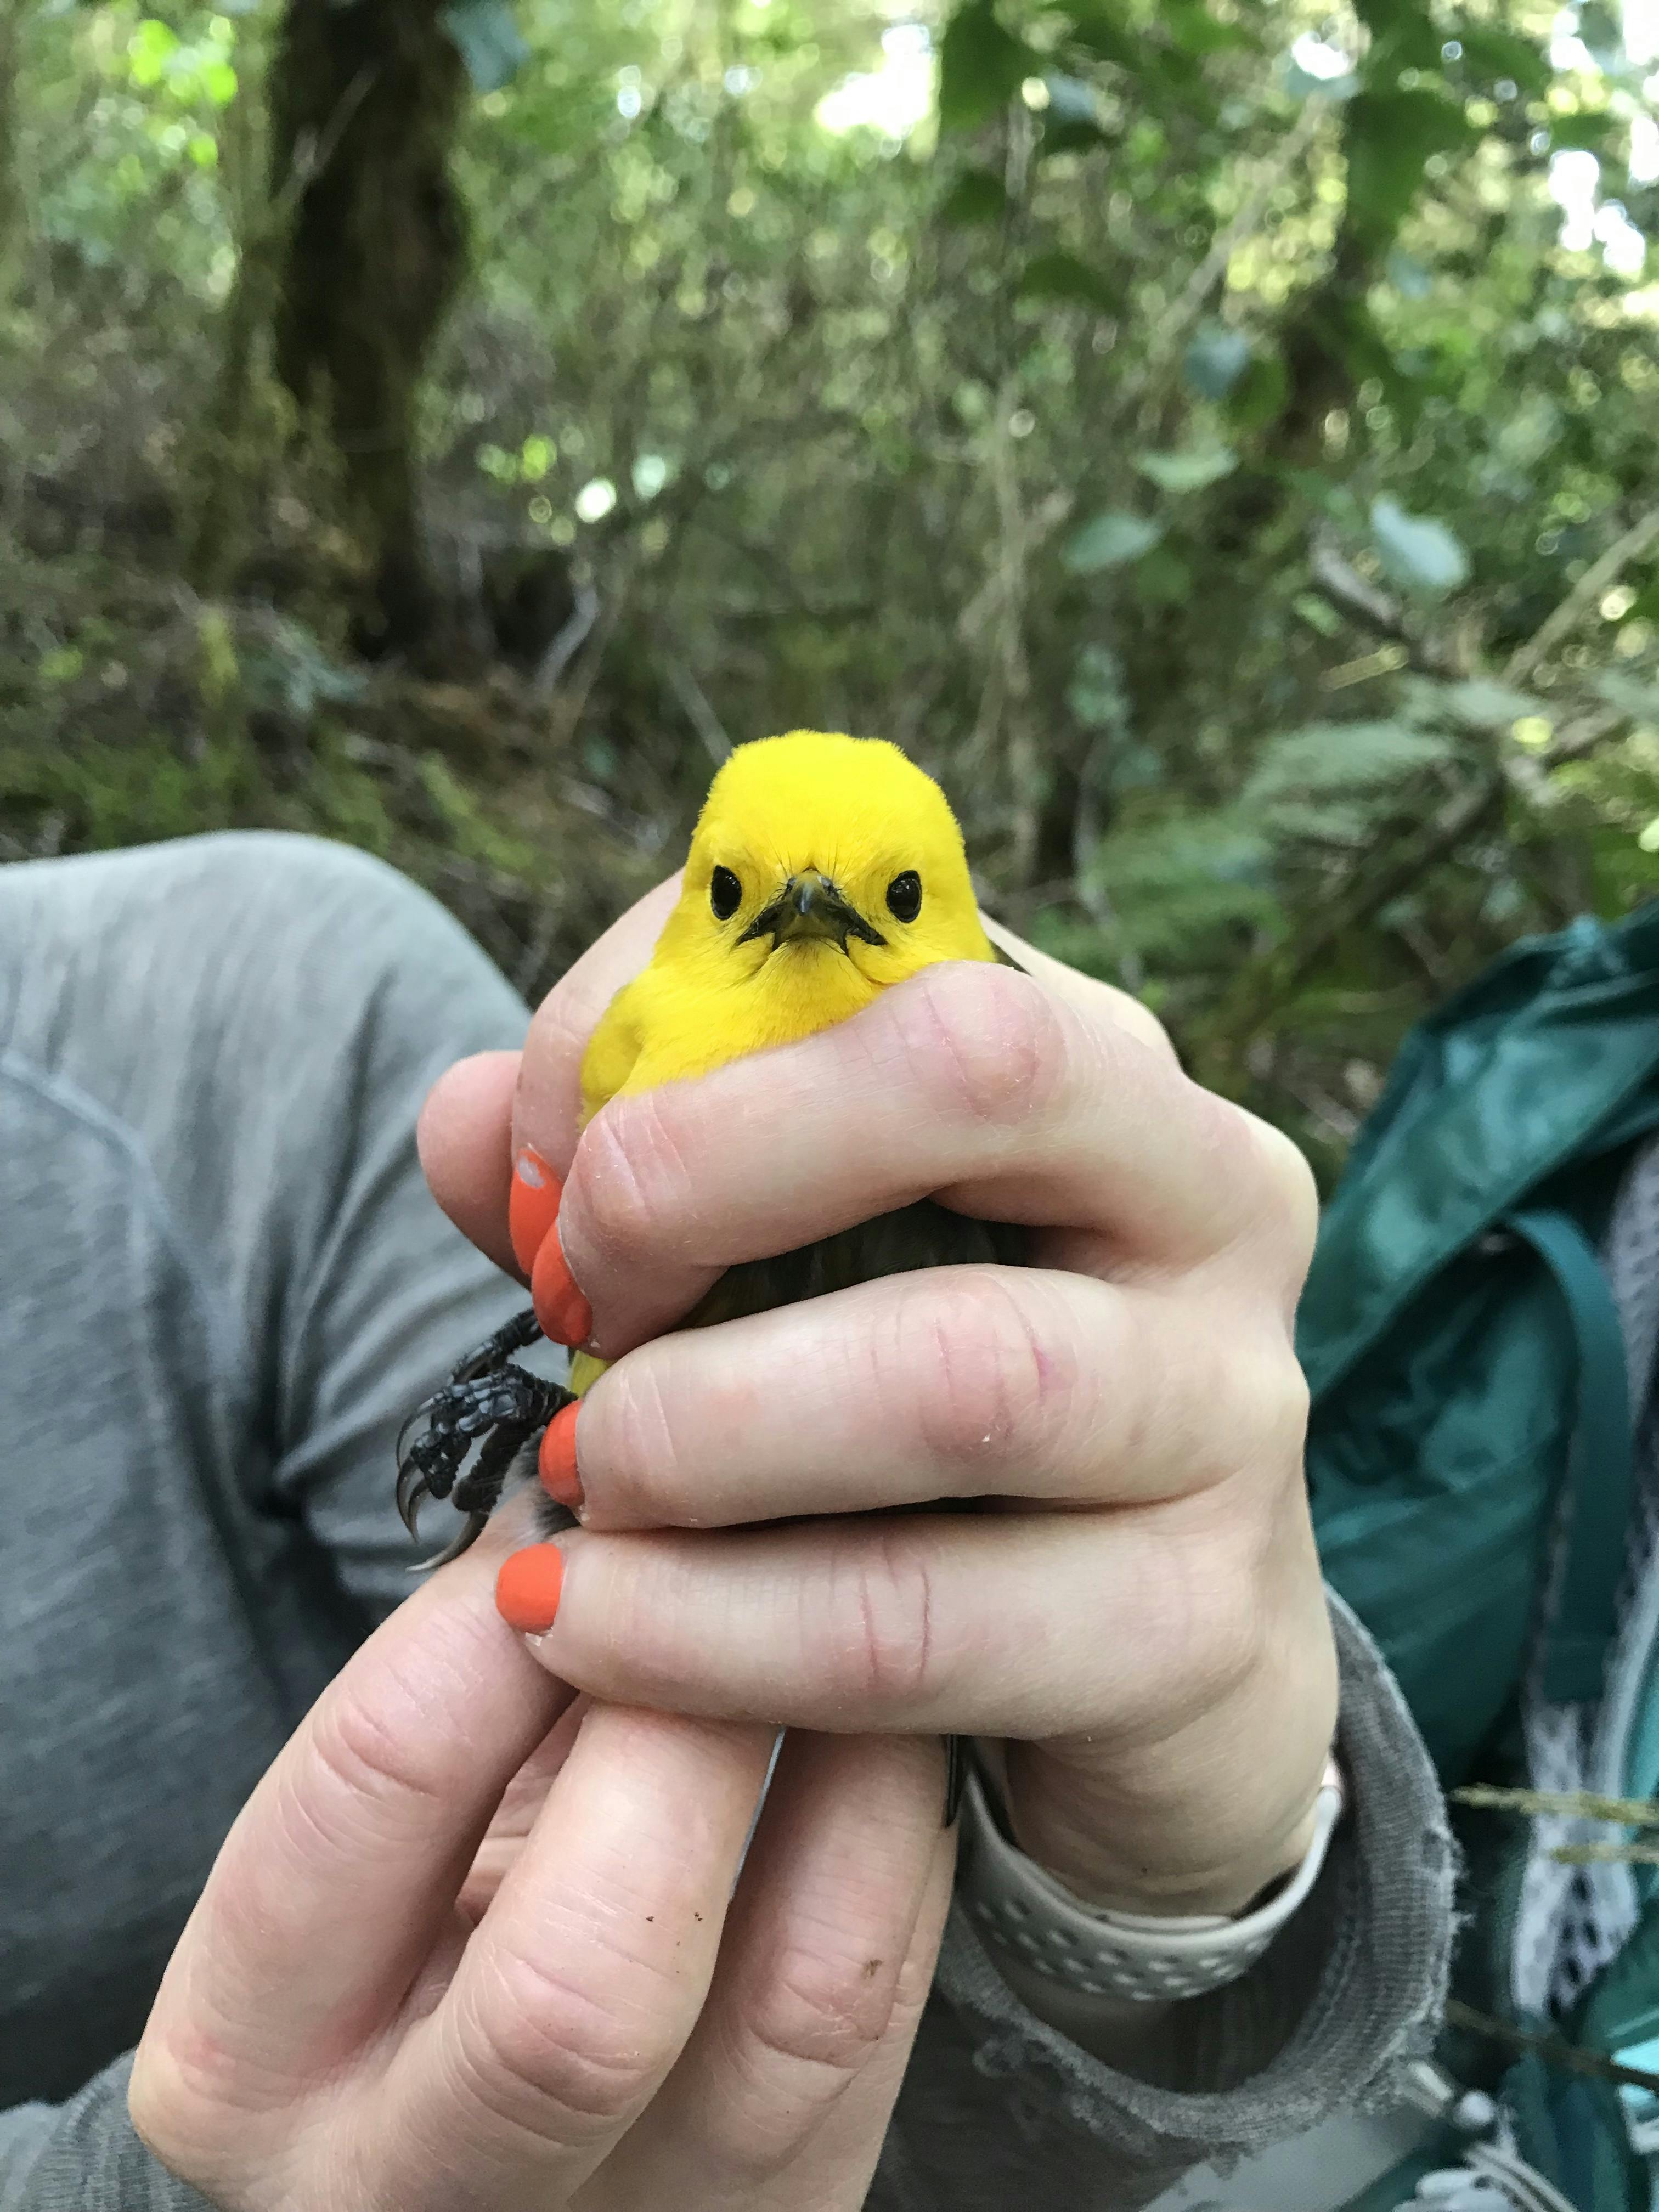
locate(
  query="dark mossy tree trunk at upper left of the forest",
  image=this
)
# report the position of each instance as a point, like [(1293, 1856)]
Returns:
[(366, 101)]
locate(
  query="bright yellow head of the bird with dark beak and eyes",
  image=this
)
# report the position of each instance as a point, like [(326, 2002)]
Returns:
[(824, 868)]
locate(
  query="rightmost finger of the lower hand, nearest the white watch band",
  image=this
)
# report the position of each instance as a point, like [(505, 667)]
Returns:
[(808, 1987)]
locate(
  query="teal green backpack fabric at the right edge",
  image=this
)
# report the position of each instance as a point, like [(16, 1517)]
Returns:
[(1441, 1346)]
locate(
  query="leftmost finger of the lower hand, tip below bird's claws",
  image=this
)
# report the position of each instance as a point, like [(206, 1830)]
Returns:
[(353, 1848)]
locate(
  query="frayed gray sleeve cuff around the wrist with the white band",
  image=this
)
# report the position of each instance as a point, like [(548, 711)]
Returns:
[(999, 2105)]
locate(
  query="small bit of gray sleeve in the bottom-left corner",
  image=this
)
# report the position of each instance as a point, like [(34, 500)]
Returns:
[(85, 2158)]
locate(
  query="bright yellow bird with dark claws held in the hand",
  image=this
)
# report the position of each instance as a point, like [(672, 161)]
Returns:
[(822, 873)]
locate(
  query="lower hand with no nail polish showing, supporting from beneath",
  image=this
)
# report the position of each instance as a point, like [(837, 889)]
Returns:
[(461, 1952)]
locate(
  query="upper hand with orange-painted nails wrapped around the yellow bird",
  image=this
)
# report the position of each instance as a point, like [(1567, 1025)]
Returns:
[(1138, 1625)]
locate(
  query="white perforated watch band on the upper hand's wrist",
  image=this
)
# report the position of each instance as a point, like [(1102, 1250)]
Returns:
[(1105, 1954)]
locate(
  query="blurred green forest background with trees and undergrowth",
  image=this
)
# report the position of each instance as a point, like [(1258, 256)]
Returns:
[(1218, 437)]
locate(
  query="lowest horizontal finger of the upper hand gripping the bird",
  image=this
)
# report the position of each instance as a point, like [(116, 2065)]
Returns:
[(961, 1625)]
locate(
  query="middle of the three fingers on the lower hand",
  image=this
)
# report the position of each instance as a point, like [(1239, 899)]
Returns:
[(587, 1974)]
